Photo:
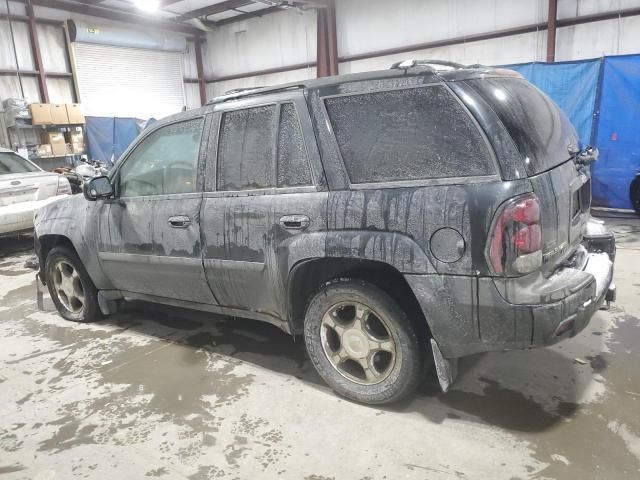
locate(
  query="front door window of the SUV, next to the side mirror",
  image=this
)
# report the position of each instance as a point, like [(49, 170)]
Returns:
[(165, 162)]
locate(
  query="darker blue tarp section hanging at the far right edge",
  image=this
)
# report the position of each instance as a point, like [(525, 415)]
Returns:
[(617, 134)]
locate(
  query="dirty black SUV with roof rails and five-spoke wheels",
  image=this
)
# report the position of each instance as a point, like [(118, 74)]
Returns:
[(396, 219)]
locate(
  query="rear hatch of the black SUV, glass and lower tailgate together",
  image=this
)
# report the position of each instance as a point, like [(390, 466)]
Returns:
[(547, 142)]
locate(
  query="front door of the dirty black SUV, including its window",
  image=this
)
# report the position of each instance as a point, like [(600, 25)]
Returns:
[(153, 246)]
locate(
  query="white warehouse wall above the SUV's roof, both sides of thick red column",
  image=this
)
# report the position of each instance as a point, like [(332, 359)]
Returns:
[(363, 26)]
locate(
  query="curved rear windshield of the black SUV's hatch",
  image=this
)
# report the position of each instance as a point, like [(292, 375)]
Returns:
[(540, 130)]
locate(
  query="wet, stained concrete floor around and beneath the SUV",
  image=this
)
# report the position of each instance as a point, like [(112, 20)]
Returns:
[(158, 392)]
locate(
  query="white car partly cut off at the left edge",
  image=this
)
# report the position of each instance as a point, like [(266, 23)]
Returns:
[(24, 188)]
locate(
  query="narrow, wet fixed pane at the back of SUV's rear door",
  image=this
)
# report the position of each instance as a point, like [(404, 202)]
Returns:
[(293, 166)]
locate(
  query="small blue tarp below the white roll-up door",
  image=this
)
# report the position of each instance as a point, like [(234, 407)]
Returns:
[(109, 137)]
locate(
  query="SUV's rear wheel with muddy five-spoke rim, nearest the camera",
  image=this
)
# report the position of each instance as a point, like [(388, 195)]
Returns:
[(342, 338)]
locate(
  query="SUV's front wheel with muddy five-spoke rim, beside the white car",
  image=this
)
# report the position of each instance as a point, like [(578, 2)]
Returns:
[(71, 289)]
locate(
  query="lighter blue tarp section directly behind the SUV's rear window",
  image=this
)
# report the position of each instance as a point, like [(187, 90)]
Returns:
[(572, 85)]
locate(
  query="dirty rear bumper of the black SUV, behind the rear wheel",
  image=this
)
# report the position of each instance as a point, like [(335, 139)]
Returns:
[(468, 315)]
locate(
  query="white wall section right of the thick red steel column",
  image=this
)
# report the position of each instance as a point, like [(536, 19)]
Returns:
[(410, 22)]
